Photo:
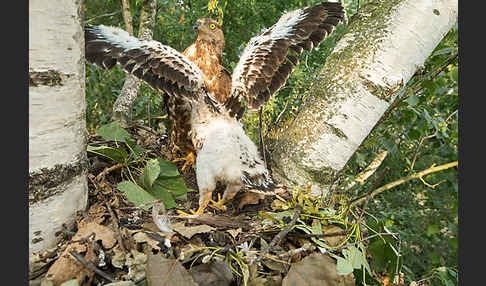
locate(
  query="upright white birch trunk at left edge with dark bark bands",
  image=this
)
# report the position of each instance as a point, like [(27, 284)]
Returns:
[(57, 120)]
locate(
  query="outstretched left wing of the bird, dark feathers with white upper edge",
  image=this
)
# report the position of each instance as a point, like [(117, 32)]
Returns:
[(161, 66)]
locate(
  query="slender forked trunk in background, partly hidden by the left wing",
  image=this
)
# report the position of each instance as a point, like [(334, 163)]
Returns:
[(122, 108)]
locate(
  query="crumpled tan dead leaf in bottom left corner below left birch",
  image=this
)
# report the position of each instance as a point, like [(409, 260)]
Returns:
[(66, 267)]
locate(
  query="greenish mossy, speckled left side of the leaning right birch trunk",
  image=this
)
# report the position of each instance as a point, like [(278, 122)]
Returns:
[(365, 34)]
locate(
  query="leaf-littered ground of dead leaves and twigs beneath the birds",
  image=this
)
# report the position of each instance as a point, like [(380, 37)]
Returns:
[(258, 240)]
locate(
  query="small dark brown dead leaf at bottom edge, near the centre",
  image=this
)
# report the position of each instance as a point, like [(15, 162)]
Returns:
[(215, 273)]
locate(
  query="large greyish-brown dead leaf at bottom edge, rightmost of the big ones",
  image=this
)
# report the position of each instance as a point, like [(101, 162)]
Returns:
[(316, 269)]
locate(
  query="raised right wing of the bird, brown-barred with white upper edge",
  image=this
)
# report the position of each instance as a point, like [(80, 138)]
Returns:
[(270, 57)]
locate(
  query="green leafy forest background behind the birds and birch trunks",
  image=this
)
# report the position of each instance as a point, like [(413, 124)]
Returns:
[(419, 130)]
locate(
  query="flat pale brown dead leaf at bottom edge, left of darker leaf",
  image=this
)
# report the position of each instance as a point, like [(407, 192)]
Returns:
[(165, 272)]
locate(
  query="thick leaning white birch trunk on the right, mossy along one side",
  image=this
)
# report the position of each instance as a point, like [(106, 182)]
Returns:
[(384, 44)]
